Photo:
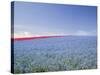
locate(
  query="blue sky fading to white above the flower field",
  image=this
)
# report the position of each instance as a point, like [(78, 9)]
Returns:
[(33, 19)]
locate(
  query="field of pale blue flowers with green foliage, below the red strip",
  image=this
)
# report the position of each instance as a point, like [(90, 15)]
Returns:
[(55, 54)]
